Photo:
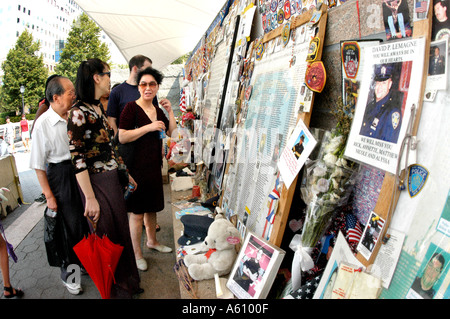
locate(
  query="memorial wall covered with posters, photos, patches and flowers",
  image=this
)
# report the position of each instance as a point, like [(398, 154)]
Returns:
[(323, 130)]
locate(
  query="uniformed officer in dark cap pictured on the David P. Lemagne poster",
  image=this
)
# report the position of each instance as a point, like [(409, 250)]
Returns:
[(383, 117)]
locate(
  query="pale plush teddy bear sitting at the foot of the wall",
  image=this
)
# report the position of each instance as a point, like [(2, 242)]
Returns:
[(219, 245)]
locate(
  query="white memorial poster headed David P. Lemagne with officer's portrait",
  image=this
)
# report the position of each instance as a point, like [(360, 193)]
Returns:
[(390, 90)]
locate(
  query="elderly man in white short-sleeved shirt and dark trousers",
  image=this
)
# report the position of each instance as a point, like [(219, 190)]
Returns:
[(50, 158)]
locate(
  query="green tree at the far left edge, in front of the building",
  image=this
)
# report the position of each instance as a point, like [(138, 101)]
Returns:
[(23, 67)]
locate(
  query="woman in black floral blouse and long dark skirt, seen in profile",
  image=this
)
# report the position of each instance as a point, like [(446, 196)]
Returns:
[(96, 171)]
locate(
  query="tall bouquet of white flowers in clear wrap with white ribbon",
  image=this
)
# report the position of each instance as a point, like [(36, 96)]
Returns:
[(327, 185)]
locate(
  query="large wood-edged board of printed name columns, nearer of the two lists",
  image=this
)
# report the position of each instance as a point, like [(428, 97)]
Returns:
[(265, 130)]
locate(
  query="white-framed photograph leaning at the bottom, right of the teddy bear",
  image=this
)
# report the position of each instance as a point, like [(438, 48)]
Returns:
[(255, 268)]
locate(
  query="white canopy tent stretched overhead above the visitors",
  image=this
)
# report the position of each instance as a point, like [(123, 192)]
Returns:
[(163, 30)]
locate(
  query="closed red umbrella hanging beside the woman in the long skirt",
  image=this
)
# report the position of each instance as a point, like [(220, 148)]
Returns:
[(99, 256)]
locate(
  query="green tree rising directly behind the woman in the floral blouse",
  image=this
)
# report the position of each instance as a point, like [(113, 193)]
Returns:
[(82, 43)]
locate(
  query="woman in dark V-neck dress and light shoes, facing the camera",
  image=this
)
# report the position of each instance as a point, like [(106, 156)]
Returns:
[(142, 122)]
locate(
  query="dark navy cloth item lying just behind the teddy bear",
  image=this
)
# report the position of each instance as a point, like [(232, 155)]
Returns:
[(195, 229)]
